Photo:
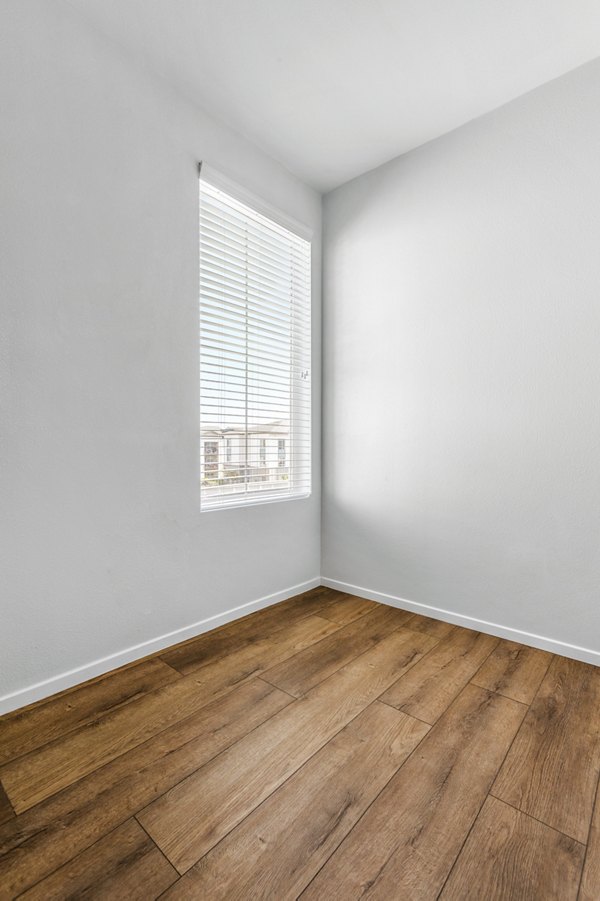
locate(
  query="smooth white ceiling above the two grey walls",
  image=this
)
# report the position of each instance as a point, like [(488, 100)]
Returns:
[(332, 88)]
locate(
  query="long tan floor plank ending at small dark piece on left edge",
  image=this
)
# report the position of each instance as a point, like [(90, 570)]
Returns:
[(43, 772)]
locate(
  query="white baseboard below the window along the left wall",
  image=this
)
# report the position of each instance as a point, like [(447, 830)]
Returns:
[(73, 677)]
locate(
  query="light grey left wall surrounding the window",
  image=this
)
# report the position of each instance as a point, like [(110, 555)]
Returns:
[(103, 543)]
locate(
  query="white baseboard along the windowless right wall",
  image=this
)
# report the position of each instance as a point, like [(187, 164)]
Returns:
[(470, 622)]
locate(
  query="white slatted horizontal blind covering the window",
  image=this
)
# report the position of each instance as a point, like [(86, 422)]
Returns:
[(255, 387)]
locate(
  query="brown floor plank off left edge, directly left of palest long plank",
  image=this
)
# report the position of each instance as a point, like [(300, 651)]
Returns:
[(45, 837)]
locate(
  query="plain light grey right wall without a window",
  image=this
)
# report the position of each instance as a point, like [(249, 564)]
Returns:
[(462, 369)]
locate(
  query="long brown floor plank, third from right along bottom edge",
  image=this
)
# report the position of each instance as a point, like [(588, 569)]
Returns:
[(408, 840)]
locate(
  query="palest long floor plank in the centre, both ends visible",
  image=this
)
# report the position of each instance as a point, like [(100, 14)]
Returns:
[(190, 819)]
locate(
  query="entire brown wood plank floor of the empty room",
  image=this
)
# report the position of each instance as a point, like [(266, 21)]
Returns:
[(326, 747)]
